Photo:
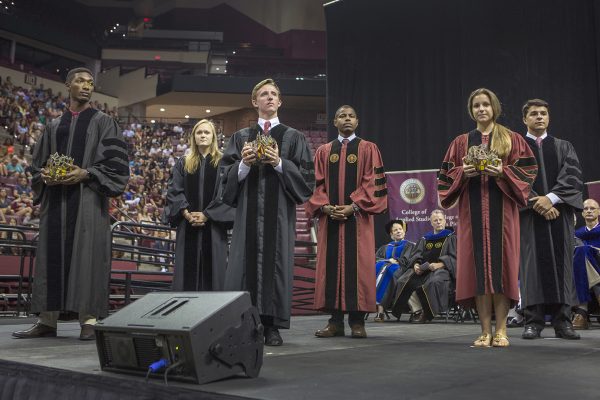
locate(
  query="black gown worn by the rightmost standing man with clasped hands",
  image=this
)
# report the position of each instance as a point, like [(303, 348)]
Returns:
[(546, 271)]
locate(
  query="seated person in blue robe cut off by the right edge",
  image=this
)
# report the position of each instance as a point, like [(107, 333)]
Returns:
[(586, 263)]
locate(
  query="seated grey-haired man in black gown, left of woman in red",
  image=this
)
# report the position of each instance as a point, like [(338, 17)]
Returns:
[(431, 271)]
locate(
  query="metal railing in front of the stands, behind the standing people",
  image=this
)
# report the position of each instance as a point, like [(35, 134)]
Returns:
[(138, 265)]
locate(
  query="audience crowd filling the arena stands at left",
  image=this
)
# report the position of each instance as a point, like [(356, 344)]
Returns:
[(153, 150)]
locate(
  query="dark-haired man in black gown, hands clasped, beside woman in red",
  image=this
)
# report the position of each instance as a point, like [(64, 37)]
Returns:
[(546, 271)]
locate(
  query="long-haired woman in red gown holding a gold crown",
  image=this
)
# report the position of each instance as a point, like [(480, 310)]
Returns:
[(488, 224)]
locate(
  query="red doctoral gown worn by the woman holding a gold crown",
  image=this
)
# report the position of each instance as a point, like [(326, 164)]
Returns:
[(488, 218)]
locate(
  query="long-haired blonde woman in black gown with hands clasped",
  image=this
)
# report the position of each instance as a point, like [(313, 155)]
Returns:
[(201, 219)]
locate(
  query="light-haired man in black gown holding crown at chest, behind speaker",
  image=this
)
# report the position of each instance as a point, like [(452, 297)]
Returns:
[(266, 193)]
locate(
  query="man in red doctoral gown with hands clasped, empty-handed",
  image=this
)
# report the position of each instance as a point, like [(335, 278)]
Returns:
[(350, 188)]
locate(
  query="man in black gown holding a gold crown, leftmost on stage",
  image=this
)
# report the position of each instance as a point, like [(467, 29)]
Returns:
[(72, 265)]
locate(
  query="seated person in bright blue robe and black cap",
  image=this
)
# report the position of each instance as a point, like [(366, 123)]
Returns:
[(391, 257)]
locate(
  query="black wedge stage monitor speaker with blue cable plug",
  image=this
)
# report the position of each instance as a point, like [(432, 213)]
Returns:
[(196, 337)]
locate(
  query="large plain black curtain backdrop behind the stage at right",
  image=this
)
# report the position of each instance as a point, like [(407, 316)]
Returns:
[(408, 67)]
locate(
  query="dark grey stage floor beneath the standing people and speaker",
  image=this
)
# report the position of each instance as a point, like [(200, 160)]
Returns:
[(398, 361)]
